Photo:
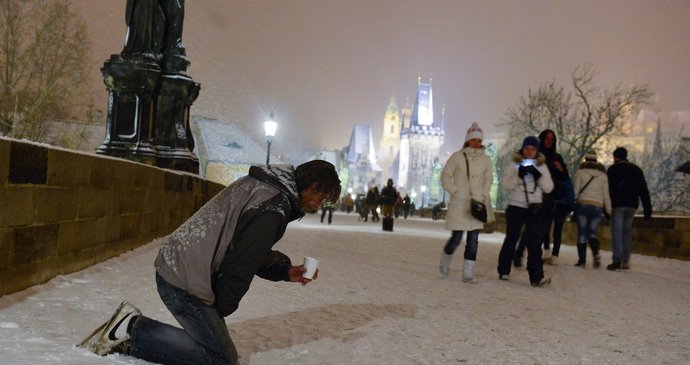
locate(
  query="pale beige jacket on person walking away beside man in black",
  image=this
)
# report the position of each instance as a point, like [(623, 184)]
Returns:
[(597, 192)]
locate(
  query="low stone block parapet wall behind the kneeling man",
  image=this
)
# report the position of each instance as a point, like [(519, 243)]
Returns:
[(62, 211)]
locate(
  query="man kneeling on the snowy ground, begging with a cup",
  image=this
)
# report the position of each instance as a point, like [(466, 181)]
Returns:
[(205, 267)]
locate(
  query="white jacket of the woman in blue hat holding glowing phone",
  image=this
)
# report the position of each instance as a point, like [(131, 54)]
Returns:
[(513, 184)]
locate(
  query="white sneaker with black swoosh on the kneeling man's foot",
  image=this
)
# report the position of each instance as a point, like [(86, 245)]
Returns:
[(113, 333)]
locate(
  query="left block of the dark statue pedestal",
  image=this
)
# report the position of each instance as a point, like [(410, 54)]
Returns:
[(132, 87)]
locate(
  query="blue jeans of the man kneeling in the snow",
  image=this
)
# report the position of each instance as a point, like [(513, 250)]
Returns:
[(204, 338)]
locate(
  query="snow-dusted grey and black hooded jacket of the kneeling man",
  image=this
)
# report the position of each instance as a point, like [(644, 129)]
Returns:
[(215, 254)]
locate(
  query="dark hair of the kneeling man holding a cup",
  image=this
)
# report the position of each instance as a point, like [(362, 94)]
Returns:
[(323, 173)]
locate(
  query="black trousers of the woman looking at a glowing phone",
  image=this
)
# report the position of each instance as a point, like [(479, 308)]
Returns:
[(532, 221)]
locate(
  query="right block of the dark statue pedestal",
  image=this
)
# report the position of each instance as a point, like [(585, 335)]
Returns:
[(173, 136)]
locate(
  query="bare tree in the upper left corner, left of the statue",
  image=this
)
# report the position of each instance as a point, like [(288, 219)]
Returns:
[(43, 59)]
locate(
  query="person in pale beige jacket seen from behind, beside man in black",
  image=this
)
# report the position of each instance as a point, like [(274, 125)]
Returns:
[(593, 202)]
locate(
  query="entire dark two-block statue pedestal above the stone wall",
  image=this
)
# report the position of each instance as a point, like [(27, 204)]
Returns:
[(148, 114)]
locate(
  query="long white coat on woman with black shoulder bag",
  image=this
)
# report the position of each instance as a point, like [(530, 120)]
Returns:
[(454, 181)]
